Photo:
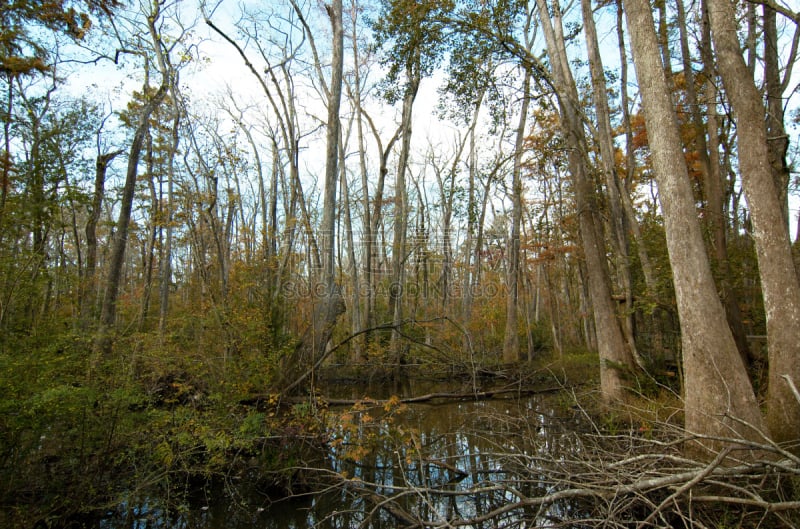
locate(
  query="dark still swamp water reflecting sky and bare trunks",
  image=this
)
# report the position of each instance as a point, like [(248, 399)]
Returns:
[(436, 460)]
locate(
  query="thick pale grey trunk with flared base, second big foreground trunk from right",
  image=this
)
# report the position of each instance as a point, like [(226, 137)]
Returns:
[(719, 399)]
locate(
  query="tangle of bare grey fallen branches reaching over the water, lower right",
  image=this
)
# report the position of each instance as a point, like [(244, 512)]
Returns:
[(640, 478)]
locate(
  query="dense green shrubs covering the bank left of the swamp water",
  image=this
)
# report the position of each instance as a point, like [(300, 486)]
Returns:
[(77, 432)]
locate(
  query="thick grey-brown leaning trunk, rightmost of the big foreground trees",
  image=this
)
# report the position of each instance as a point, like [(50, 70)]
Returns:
[(779, 282)]
